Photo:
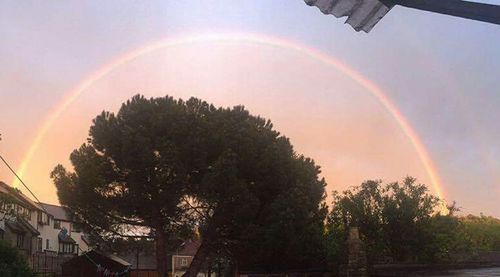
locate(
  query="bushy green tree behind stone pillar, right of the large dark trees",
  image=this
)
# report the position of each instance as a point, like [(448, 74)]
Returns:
[(398, 222)]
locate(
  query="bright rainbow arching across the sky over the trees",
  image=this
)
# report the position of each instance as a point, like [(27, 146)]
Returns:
[(374, 90)]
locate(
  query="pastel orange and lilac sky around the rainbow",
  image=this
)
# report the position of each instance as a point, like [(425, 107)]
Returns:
[(440, 72)]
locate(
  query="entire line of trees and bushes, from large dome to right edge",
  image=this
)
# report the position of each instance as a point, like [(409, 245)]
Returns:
[(164, 169)]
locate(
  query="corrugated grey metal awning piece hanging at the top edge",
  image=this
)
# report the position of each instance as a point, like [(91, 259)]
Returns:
[(361, 14)]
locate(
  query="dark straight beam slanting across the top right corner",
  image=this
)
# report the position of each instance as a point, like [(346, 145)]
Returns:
[(465, 9)]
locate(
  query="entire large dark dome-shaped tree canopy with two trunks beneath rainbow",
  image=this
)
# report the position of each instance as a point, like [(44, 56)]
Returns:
[(162, 165)]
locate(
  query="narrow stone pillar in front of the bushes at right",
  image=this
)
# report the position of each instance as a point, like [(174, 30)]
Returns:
[(356, 264)]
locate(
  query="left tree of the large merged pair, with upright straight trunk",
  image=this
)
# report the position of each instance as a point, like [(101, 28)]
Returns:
[(132, 174)]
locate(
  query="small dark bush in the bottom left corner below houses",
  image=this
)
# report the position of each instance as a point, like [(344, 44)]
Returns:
[(12, 264)]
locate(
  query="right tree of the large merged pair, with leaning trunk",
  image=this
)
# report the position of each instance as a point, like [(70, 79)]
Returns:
[(261, 203)]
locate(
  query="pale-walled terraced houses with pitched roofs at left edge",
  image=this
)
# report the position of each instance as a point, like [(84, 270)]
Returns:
[(37, 227)]
